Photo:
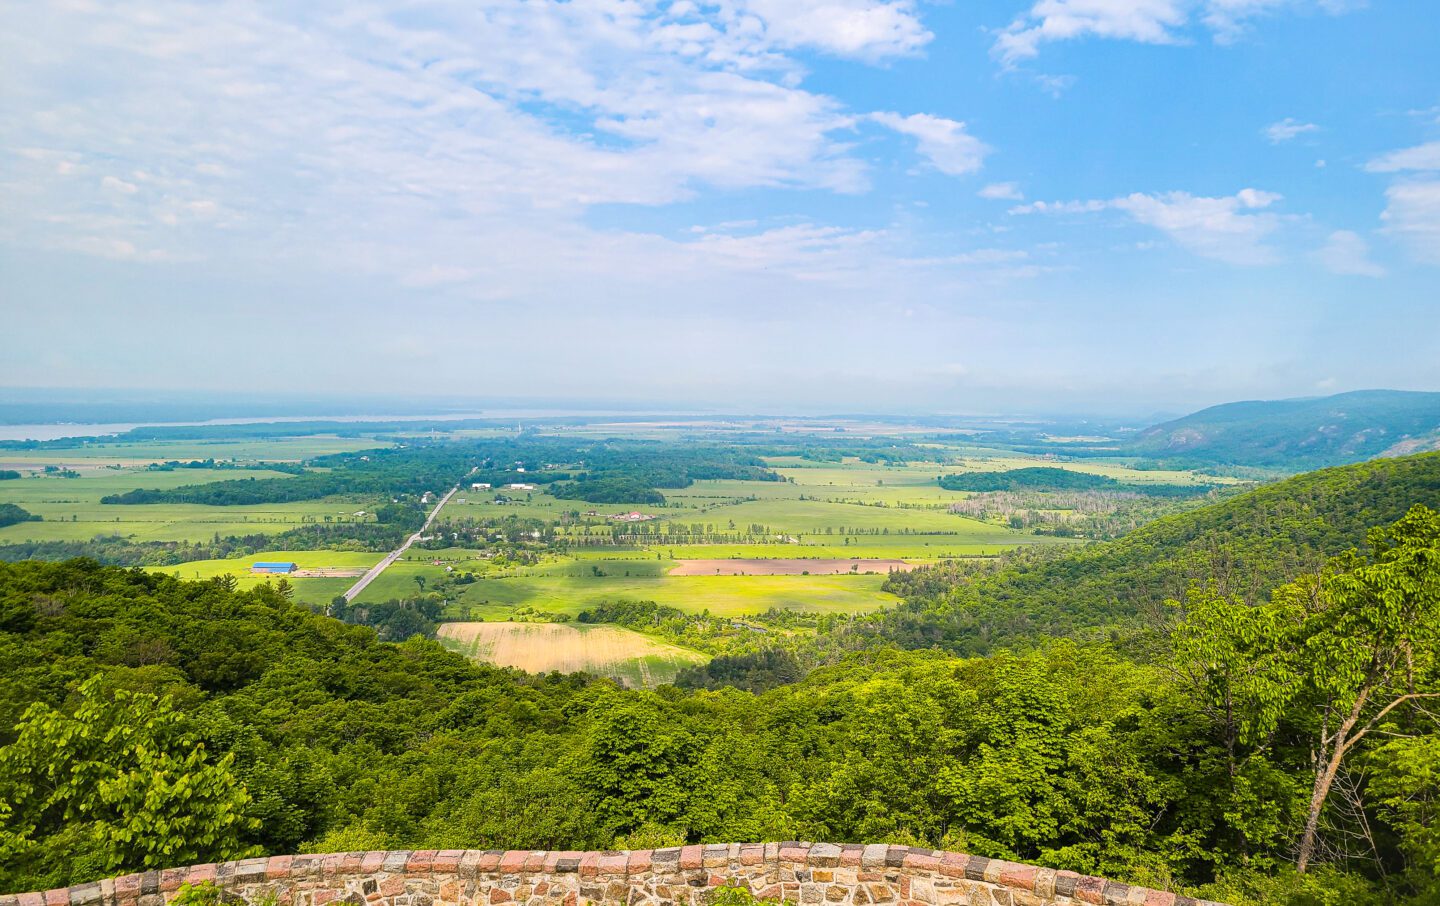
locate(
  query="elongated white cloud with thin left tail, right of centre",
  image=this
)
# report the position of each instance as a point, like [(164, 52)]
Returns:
[(1232, 228)]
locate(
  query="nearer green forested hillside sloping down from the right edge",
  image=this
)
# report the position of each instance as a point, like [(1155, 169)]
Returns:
[(1249, 544)]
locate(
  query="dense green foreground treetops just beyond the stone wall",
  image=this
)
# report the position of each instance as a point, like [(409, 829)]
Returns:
[(299, 732)]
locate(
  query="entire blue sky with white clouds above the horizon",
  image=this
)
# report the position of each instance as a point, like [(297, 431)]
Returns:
[(846, 205)]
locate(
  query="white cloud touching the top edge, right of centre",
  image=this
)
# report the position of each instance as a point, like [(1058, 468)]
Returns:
[(1154, 22)]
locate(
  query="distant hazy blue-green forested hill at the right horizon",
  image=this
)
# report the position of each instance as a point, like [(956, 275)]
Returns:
[(1297, 434)]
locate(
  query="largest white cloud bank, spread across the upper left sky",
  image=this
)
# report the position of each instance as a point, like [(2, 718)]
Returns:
[(431, 145)]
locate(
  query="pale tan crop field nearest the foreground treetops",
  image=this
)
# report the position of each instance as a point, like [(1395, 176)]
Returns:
[(539, 647)]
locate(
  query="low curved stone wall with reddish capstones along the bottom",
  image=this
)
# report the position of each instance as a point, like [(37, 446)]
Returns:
[(801, 874)]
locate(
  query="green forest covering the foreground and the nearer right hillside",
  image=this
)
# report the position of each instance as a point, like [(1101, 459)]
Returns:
[(1238, 702)]
